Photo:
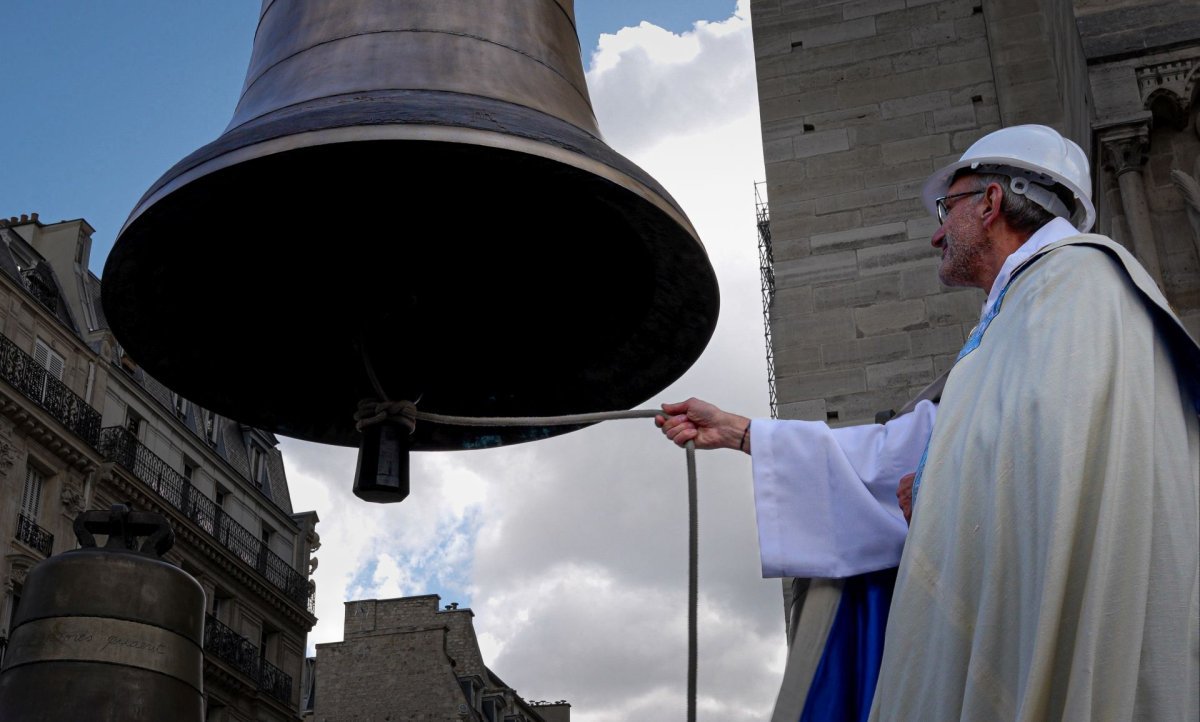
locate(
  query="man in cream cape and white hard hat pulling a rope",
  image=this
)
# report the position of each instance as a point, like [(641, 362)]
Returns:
[(1052, 570)]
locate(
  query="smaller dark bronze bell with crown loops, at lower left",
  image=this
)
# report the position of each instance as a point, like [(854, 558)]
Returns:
[(107, 634)]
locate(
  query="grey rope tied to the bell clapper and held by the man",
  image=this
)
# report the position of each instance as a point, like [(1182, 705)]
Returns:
[(406, 414)]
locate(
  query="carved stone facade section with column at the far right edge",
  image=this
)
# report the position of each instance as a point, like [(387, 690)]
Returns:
[(1144, 64)]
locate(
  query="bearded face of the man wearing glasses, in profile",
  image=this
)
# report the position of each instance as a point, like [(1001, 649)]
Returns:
[(962, 238)]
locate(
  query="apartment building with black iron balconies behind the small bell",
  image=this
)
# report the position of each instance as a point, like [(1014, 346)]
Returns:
[(82, 426)]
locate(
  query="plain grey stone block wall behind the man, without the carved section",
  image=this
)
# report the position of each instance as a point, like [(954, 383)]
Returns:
[(861, 100)]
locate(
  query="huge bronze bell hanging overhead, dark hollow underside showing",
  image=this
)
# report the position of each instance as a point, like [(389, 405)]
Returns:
[(423, 184)]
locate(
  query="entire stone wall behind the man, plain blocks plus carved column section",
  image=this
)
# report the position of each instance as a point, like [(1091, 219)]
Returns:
[(861, 100)]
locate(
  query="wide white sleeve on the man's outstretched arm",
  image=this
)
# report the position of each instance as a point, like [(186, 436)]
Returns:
[(826, 498)]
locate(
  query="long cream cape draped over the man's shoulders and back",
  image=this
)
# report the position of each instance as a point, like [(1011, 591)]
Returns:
[(1053, 568)]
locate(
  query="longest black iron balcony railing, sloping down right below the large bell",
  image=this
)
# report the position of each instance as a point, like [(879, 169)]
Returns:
[(119, 446)]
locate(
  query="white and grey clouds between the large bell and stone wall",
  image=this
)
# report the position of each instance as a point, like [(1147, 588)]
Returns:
[(577, 546)]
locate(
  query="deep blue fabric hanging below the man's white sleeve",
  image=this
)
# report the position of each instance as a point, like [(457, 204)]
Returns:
[(844, 683)]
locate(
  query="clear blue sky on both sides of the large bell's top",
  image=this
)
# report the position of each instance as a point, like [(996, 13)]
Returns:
[(103, 98)]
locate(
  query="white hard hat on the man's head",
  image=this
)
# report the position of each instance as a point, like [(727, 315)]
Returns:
[(1036, 159)]
